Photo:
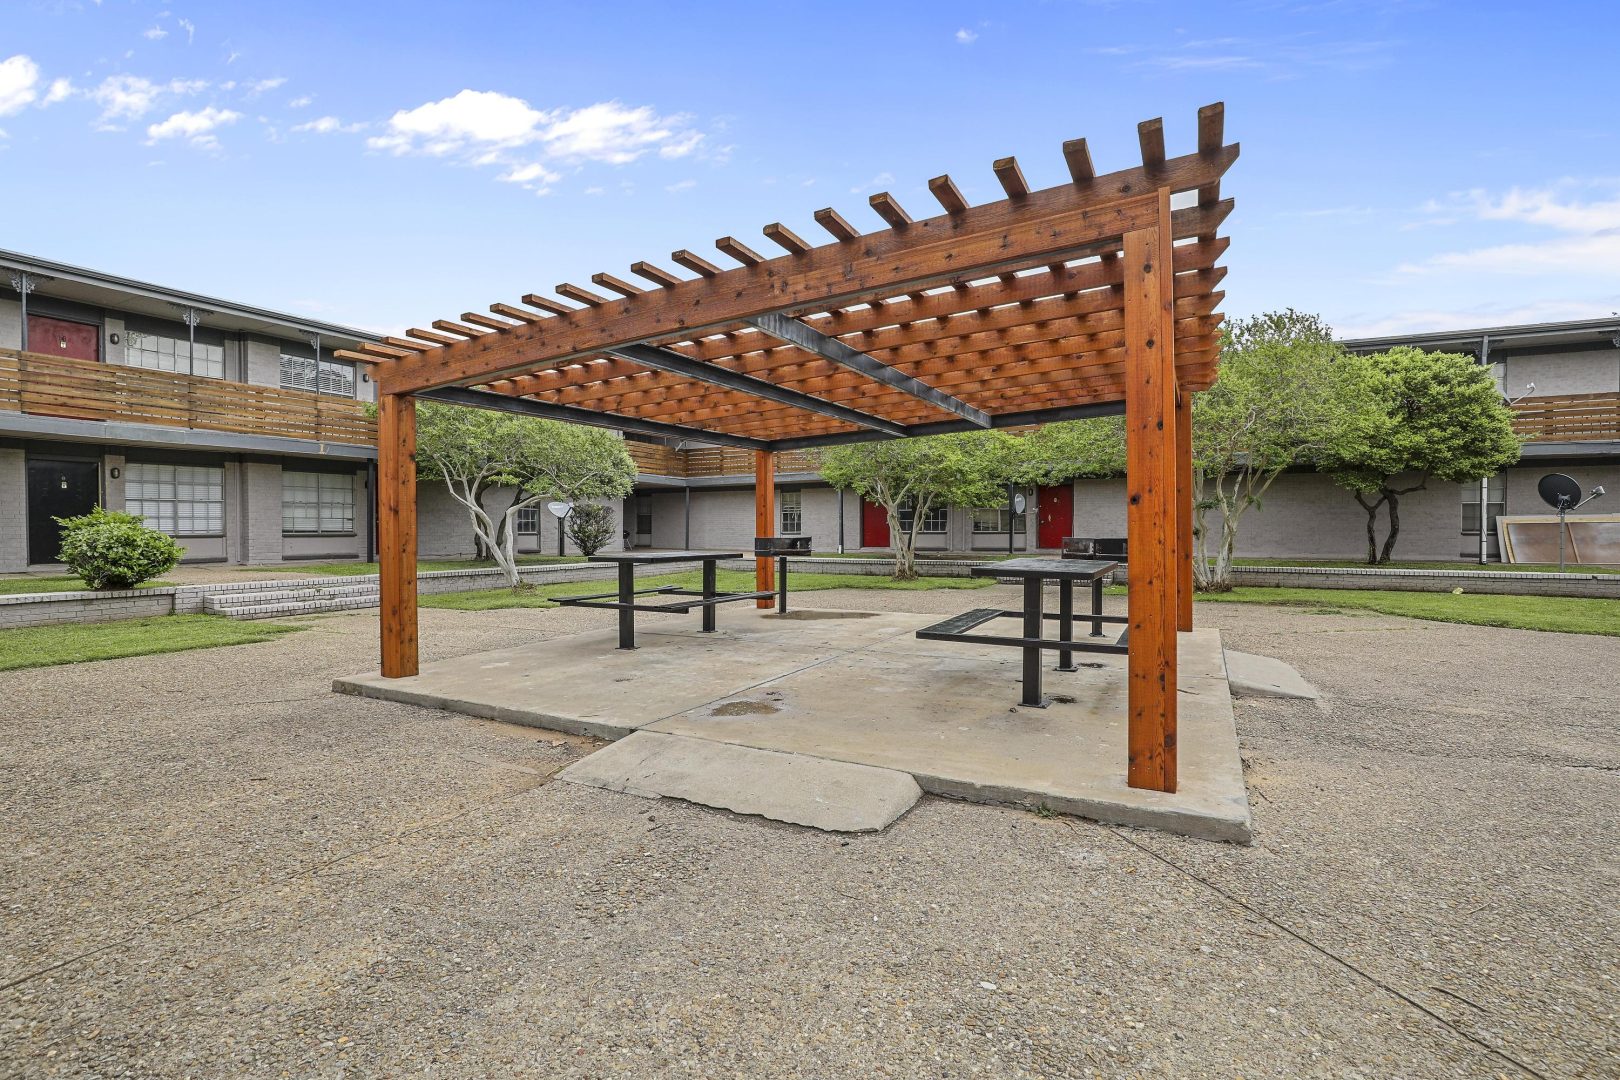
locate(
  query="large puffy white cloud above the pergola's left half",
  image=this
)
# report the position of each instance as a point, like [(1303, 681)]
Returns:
[(492, 129)]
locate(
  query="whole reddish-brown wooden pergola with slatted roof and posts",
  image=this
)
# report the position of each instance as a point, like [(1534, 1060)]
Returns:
[(1096, 297)]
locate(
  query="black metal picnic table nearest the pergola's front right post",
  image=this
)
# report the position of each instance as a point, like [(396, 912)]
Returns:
[(1034, 574)]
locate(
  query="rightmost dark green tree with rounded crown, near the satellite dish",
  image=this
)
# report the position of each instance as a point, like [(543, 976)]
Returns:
[(1436, 417)]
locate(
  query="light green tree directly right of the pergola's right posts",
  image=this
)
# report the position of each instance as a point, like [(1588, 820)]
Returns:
[(1287, 394)]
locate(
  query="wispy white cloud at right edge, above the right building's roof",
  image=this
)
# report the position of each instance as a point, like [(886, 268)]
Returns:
[(1585, 232)]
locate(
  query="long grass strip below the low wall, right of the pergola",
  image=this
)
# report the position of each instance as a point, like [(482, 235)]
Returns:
[(1564, 614)]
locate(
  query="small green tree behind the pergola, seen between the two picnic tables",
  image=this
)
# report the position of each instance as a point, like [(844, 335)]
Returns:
[(911, 477)]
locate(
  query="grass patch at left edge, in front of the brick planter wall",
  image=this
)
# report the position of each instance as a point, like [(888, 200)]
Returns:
[(74, 644)]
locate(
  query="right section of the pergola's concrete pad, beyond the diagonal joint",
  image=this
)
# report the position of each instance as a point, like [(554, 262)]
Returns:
[(953, 723)]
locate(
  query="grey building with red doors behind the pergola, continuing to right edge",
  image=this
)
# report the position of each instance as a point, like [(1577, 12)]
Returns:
[(1564, 381)]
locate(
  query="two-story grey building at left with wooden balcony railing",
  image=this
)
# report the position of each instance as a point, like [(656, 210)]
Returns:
[(229, 427)]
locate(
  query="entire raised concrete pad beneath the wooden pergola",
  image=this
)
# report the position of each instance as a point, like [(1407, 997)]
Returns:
[(859, 687)]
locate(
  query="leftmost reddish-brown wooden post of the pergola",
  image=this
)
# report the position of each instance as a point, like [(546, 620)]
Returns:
[(398, 532)]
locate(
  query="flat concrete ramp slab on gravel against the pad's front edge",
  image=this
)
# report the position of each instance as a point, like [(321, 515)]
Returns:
[(798, 789)]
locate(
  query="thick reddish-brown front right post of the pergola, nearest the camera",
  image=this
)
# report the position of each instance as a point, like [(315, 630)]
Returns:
[(1151, 517)]
